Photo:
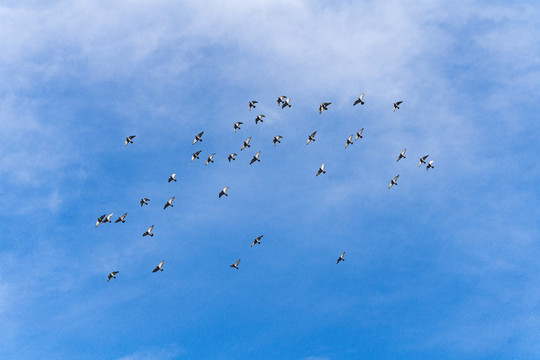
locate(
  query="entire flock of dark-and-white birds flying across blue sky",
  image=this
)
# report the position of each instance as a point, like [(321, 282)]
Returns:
[(284, 102)]
